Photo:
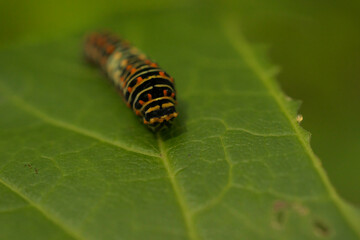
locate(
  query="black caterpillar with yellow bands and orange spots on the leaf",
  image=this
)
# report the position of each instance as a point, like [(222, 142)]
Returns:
[(147, 89)]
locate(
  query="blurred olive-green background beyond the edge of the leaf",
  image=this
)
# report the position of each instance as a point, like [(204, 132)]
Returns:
[(315, 43)]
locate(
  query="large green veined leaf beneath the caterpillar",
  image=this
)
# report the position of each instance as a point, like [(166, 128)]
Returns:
[(75, 163)]
